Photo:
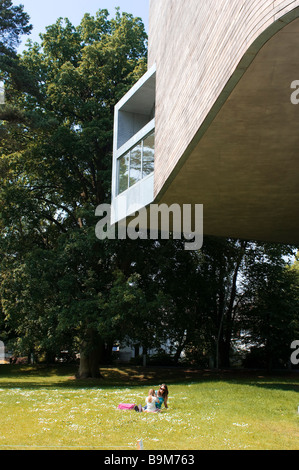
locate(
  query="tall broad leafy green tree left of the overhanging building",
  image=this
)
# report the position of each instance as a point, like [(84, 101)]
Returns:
[(56, 168)]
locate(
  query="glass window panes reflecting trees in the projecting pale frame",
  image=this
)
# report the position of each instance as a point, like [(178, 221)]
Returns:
[(137, 163)]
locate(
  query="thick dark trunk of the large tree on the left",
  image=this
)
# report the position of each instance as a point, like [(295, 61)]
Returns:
[(90, 356)]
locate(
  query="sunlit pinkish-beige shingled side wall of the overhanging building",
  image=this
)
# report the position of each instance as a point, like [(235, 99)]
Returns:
[(197, 46)]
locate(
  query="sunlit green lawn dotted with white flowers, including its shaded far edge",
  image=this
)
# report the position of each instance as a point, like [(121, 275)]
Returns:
[(44, 408)]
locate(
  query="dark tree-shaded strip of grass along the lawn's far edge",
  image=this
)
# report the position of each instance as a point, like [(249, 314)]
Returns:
[(63, 376)]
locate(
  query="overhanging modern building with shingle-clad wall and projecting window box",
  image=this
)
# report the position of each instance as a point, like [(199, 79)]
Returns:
[(215, 121)]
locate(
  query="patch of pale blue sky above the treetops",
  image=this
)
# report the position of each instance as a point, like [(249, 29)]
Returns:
[(44, 13)]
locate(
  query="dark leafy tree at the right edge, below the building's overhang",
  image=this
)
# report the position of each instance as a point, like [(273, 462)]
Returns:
[(269, 314)]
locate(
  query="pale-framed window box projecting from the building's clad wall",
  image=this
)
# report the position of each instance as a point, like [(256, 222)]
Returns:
[(134, 147)]
